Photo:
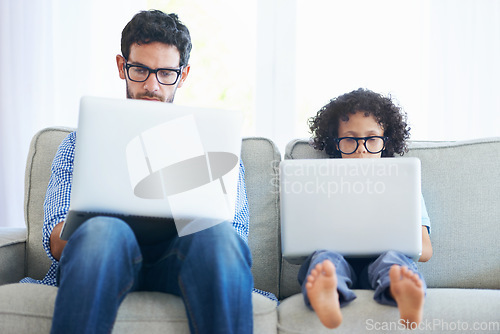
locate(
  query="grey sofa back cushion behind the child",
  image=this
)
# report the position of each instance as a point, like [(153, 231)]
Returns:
[(460, 185)]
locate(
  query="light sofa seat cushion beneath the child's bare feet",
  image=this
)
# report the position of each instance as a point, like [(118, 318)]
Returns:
[(445, 311)]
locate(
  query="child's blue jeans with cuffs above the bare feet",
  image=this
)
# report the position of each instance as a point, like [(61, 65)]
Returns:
[(358, 274)]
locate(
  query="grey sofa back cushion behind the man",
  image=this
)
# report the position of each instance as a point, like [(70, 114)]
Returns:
[(260, 157)]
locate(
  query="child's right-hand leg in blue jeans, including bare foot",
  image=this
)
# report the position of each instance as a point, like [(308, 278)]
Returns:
[(397, 282)]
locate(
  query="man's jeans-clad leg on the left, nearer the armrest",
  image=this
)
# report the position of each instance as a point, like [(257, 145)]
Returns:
[(98, 267)]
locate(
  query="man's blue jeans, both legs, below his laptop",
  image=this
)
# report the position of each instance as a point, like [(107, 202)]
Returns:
[(102, 262)]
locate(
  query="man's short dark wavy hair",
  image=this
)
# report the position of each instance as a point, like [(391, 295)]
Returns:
[(156, 26)]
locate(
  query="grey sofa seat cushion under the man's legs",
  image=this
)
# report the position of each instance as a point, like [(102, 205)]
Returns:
[(28, 308)]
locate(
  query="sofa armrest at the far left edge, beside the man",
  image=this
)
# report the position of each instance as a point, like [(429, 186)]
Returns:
[(12, 254)]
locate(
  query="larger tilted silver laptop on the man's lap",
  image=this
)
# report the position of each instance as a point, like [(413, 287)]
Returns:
[(164, 169)]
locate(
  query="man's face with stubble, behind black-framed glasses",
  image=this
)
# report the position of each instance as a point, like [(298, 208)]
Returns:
[(153, 55)]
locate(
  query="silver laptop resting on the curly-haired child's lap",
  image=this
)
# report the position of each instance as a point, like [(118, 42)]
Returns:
[(357, 207)]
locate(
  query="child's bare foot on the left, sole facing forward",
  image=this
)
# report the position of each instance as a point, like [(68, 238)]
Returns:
[(321, 289)]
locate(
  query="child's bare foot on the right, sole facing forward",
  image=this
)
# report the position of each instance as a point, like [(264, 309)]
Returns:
[(407, 290)]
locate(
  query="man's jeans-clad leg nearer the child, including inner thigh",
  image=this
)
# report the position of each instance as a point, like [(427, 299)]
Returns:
[(210, 270)]
